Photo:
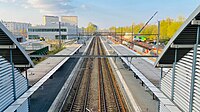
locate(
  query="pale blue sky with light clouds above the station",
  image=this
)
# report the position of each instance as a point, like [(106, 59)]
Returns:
[(103, 13)]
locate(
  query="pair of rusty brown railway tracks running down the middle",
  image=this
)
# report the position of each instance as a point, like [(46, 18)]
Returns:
[(95, 87)]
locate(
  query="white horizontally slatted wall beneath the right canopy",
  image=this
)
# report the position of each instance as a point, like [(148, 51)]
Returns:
[(183, 72)]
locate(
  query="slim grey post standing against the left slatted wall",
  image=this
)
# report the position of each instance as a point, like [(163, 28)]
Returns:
[(13, 74)]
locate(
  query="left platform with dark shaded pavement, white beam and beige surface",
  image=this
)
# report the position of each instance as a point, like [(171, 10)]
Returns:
[(38, 77)]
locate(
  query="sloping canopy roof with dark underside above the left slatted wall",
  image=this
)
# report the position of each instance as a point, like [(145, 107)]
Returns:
[(7, 42)]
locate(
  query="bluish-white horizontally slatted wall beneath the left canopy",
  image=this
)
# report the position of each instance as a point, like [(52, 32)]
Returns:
[(7, 90)]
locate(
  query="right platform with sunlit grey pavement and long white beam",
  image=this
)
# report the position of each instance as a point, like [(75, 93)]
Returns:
[(142, 96)]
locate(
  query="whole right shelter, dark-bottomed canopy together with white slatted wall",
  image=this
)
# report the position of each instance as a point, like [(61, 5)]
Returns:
[(181, 82)]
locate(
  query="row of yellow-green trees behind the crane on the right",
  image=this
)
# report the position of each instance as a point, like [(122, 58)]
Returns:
[(168, 27)]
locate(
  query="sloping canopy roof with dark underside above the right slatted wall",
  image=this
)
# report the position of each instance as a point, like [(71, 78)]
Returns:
[(183, 40)]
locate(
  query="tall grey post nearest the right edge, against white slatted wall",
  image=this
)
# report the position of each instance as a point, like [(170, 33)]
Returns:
[(194, 70)]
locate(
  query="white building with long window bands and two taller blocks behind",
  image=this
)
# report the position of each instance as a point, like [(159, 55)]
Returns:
[(50, 29)]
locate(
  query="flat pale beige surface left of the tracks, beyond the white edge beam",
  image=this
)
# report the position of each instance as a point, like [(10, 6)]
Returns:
[(41, 69)]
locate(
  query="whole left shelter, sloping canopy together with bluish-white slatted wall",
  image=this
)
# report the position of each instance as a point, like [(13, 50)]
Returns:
[(12, 83)]
